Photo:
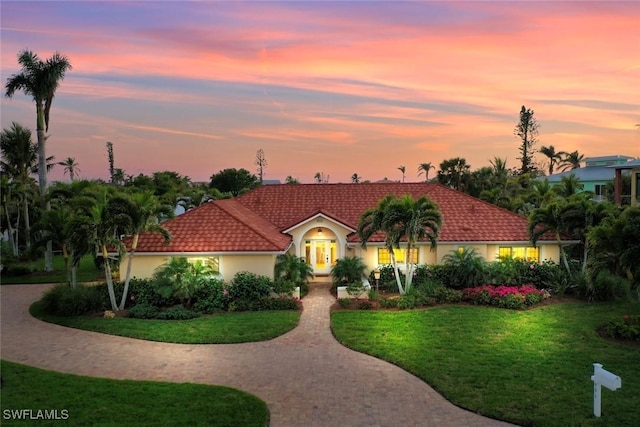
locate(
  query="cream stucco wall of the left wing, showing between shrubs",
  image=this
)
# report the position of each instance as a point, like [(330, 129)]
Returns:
[(262, 264)]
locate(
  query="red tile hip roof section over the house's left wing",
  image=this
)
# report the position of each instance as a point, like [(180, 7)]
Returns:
[(219, 226)]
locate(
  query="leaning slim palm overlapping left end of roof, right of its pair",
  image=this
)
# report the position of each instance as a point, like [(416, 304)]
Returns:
[(144, 212)]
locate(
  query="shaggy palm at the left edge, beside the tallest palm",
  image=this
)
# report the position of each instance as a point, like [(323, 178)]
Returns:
[(20, 161)]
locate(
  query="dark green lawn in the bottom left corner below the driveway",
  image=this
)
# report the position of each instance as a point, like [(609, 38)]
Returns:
[(101, 402)]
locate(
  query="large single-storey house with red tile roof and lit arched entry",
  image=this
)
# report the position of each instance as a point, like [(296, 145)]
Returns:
[(318, 222)]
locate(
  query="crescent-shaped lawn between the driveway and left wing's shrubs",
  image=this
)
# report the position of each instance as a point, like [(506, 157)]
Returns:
[(227, 328)]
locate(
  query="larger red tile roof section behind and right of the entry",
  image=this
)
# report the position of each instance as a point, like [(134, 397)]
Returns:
[(465, 218)]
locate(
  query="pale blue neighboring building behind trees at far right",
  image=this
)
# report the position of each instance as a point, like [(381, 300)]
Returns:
[(596, 174)]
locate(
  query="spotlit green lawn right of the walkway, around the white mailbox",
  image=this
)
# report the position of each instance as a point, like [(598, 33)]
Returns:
[(528, 367)]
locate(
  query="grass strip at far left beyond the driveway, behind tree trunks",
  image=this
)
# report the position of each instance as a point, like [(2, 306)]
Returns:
[(87, 272)]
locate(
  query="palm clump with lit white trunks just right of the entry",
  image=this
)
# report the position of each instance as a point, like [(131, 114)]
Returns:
[(402, 219)]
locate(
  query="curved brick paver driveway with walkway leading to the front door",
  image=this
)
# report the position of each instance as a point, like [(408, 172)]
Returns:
[(305, 376)]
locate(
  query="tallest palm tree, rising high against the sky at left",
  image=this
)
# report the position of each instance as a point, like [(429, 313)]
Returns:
[(40, 79)]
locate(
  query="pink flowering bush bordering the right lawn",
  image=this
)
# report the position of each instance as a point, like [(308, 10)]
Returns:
[(513, 297)]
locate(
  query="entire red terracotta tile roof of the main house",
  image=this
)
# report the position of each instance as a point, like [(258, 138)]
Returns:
[(254, 222)]
